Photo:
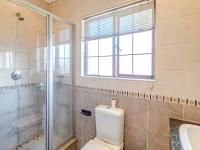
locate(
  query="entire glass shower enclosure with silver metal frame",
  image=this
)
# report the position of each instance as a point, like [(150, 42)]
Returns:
[(36, 77)]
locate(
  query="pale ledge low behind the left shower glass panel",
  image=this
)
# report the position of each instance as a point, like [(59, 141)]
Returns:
[(28, 121)]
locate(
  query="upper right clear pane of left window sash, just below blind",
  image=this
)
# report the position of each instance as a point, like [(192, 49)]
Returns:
[(105, 47)]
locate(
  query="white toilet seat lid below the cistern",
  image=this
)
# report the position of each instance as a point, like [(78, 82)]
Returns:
[(96, 144)]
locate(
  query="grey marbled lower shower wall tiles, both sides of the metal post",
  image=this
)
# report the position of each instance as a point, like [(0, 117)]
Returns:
[(24, 101)]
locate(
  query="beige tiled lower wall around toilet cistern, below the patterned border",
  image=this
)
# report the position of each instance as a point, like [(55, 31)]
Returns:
[(146, 118)]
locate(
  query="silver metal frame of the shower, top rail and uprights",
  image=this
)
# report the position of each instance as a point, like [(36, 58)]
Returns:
[(49, 74)]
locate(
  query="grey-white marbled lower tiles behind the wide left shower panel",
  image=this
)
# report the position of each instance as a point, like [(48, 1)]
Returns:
[(19, 102)]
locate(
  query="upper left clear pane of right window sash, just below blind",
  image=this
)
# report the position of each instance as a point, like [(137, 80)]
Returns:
[(125, 44)]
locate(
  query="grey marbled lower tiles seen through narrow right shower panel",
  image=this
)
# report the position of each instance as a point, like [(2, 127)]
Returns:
[(63, 111)]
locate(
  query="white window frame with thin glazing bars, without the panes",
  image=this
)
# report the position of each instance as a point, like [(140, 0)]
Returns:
[(115, 48)]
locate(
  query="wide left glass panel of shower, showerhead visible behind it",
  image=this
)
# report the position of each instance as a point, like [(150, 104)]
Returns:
[(22, 51)]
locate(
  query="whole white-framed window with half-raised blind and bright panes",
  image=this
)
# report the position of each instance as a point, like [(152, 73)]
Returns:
[(120, 43)]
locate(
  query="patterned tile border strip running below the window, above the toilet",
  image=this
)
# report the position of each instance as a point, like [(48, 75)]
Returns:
[(161, 98)]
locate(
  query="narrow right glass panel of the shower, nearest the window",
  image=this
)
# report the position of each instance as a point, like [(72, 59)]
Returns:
[(62, 85)]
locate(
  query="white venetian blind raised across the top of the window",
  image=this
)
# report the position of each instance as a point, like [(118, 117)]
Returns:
[(136, 18)]
